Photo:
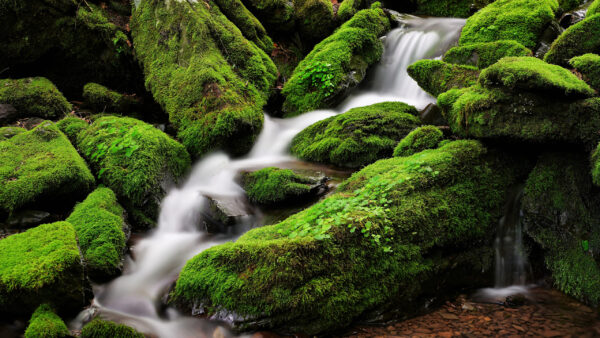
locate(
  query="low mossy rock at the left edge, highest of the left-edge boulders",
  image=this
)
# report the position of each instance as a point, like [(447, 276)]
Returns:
[(33, 97)]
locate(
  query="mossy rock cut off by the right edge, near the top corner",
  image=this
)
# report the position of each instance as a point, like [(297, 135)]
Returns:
[(579, 39)]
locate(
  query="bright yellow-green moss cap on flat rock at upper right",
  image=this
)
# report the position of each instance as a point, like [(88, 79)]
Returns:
[(533, 74)]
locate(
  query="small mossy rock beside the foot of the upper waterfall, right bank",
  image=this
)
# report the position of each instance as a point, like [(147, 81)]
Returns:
[(436, 77)]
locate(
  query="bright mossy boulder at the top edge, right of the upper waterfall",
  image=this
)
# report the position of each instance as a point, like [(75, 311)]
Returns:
[(521, 20)]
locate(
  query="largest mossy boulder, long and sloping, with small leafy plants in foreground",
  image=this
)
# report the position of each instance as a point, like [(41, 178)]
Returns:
[(387, 237)]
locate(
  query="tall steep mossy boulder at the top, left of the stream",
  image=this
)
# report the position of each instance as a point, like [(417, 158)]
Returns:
[(210, 79)]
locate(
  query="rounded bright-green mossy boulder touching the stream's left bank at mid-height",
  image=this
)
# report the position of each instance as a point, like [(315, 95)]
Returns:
[(137, 161)]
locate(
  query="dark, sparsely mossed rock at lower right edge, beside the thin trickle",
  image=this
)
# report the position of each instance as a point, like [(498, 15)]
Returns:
[(560, 213)]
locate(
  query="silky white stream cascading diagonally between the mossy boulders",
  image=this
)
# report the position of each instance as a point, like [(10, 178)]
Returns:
[(135, 298)]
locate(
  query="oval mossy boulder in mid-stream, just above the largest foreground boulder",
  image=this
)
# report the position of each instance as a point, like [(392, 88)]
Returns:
[(358, 137)]
